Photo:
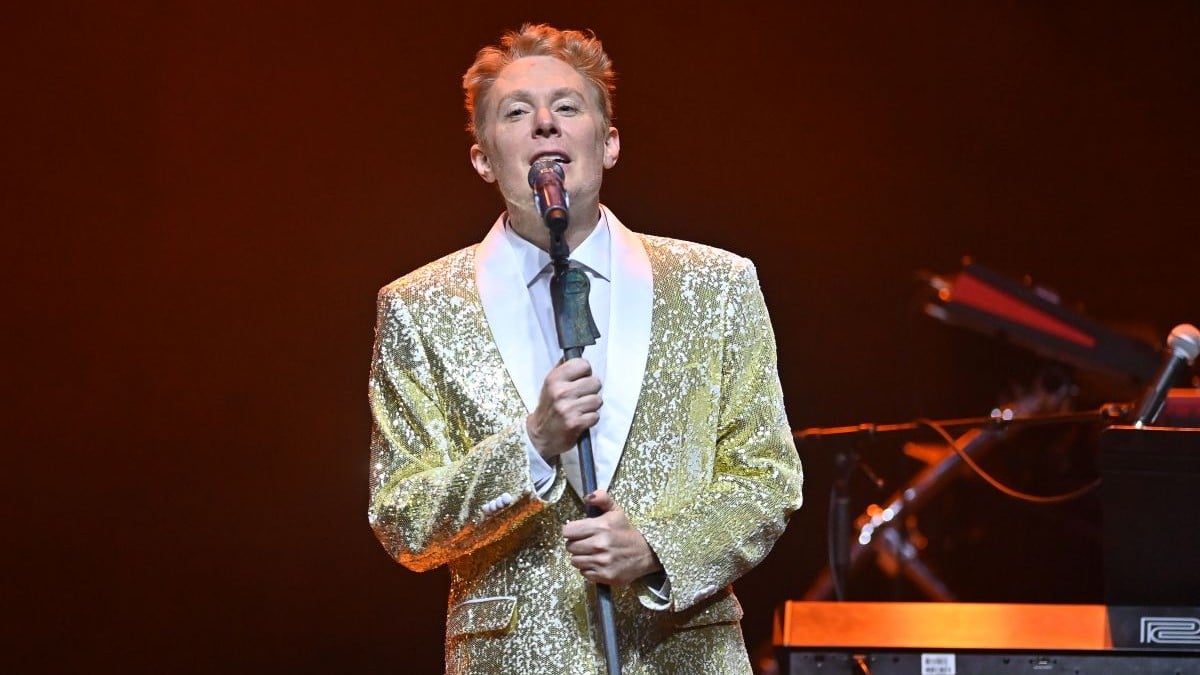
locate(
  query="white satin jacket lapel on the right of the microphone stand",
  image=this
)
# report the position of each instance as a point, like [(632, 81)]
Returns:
[(629, 342)]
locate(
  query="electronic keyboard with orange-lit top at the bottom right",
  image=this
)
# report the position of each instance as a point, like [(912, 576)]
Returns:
[(986, 640)]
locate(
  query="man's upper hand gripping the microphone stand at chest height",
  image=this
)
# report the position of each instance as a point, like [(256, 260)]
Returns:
[(568, 407)]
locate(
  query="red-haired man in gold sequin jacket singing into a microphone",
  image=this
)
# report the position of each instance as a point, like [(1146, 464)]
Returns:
[(473, 451)]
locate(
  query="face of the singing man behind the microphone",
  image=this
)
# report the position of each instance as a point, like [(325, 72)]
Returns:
[(542, 106)]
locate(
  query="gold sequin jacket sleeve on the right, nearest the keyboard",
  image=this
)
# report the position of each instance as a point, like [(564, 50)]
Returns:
[(733, 523)]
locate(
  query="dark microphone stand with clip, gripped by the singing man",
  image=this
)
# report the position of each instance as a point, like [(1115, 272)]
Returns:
[(569, 290)]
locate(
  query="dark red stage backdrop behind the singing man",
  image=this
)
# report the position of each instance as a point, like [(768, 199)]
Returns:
[(205, 198)]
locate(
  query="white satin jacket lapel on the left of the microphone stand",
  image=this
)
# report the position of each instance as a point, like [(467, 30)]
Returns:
[(511, 315)]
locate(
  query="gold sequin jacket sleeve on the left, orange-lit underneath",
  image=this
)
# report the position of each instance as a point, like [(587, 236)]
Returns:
[(430, 480)]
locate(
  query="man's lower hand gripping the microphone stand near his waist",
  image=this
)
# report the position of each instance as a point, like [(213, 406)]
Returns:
[(608, 549)]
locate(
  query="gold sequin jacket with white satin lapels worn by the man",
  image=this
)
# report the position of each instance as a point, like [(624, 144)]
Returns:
[(709, 474)]
